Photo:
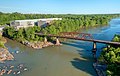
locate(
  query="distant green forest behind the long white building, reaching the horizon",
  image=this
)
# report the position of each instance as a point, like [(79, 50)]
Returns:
[(86, 20)]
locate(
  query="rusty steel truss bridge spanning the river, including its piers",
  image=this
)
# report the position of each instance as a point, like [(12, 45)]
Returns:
[(78, 36)]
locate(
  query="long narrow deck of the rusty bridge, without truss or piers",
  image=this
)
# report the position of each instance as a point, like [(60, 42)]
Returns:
[(77, 38)]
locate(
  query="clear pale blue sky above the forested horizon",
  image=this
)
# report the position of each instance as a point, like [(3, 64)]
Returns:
[(61, 6)]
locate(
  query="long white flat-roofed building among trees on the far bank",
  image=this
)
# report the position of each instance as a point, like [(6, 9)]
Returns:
[(30, 23)]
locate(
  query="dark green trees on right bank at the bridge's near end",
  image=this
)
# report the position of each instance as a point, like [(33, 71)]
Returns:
[(112, 58)]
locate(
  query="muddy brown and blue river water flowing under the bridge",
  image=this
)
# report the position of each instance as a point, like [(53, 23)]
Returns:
[(73, 58)]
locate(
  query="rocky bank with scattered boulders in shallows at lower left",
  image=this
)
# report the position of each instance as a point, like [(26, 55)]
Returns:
[(8, 68)]
